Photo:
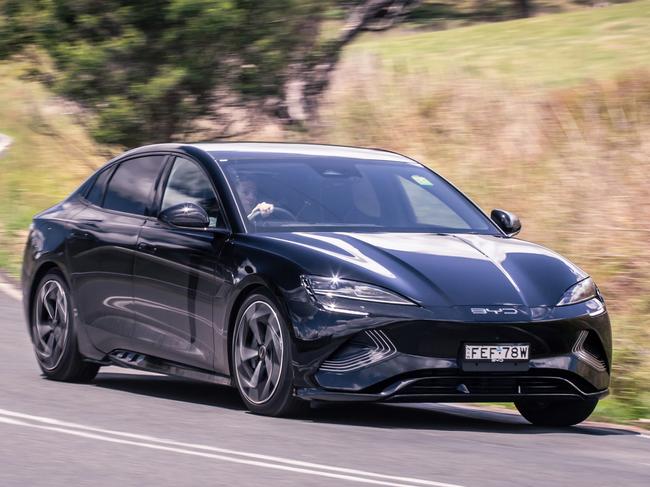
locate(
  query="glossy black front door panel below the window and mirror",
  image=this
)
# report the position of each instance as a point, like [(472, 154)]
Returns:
[(175, 283)]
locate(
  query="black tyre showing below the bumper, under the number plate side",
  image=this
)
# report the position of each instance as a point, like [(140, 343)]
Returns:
[(565, 412)]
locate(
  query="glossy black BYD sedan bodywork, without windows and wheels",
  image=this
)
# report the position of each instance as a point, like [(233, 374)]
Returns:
[(152, 295)]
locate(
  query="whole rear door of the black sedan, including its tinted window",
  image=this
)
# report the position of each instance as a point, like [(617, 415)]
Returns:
[(102, 246)]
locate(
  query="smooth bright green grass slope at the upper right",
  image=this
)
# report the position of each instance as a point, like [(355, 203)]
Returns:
[(550, 50)]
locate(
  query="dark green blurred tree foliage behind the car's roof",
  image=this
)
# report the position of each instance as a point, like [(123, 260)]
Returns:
[(148, 70)]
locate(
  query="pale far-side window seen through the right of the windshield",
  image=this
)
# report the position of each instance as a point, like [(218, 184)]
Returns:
[(428, 208)]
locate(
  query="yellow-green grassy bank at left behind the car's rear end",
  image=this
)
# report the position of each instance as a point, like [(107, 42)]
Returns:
[(49, 156)]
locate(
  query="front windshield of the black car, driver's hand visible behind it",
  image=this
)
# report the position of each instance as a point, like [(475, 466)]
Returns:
[(343, 194)]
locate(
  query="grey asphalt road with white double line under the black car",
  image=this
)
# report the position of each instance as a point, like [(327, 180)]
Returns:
[(130, 428)]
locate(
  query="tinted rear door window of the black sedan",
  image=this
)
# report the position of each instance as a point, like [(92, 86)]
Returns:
[(131, 187)]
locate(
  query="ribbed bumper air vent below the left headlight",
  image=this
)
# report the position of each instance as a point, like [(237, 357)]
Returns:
[(361, 353)]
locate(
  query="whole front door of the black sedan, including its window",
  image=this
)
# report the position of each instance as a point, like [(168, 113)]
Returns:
[(177, 273)]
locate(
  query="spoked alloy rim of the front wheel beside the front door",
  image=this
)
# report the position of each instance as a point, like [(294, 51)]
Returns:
[(258, 352)]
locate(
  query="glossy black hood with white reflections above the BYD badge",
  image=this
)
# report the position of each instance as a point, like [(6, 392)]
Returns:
[(437, 269)]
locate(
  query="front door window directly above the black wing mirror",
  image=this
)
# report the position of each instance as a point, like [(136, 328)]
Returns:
[(188, 183)]
